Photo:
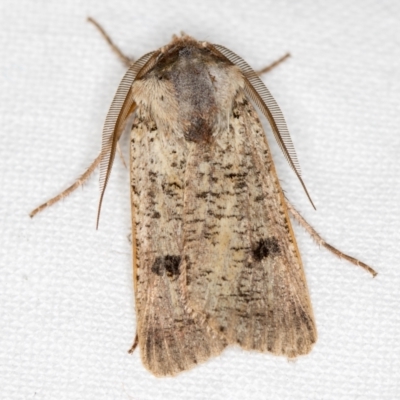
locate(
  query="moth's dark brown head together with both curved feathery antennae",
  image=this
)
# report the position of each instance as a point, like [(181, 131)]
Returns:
[(160, 63)]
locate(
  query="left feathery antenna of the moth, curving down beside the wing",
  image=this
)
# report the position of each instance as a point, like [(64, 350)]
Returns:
[(122, 106)]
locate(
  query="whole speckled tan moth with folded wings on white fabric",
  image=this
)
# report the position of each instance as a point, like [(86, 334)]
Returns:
[(215, 258)]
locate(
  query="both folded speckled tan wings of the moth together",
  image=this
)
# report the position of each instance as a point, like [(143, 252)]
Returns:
[(216, 259)]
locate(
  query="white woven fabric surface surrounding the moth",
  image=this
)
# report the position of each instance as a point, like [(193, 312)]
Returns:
[(66, 297)]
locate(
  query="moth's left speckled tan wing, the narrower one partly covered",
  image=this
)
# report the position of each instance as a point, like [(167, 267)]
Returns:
[(170, 339)]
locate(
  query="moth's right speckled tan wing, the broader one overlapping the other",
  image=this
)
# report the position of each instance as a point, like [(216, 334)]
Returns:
[(241, 267)]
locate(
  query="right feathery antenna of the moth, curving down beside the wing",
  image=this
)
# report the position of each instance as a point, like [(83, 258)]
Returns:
[(262, 97)]
